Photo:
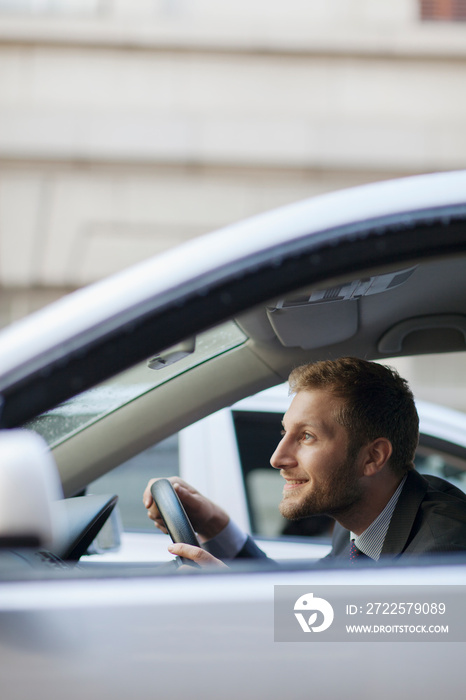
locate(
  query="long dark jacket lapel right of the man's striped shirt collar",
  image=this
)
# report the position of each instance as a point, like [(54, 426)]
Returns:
[(404, 514)]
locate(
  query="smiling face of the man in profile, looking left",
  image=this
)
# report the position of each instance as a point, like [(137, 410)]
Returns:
[(313, 459)]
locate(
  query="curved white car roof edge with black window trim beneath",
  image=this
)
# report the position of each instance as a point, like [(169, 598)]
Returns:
[(241, 265)]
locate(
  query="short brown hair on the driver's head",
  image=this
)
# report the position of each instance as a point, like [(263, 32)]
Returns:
[(377, 403)]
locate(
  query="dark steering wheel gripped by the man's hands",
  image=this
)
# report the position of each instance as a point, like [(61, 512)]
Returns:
[(174, 515)]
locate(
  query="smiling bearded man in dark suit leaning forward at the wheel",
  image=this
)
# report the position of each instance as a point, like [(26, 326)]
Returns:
[(347, 450)]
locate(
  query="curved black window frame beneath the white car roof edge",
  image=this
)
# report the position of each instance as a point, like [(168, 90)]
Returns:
[(195, 305)]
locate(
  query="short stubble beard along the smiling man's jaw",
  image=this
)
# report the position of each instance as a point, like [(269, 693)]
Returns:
[(337, 495)]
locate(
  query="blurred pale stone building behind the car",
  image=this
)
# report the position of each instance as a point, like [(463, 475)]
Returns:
[(128, 126)]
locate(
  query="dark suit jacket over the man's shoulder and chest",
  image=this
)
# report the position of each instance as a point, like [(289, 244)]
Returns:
[(430, 516)]
